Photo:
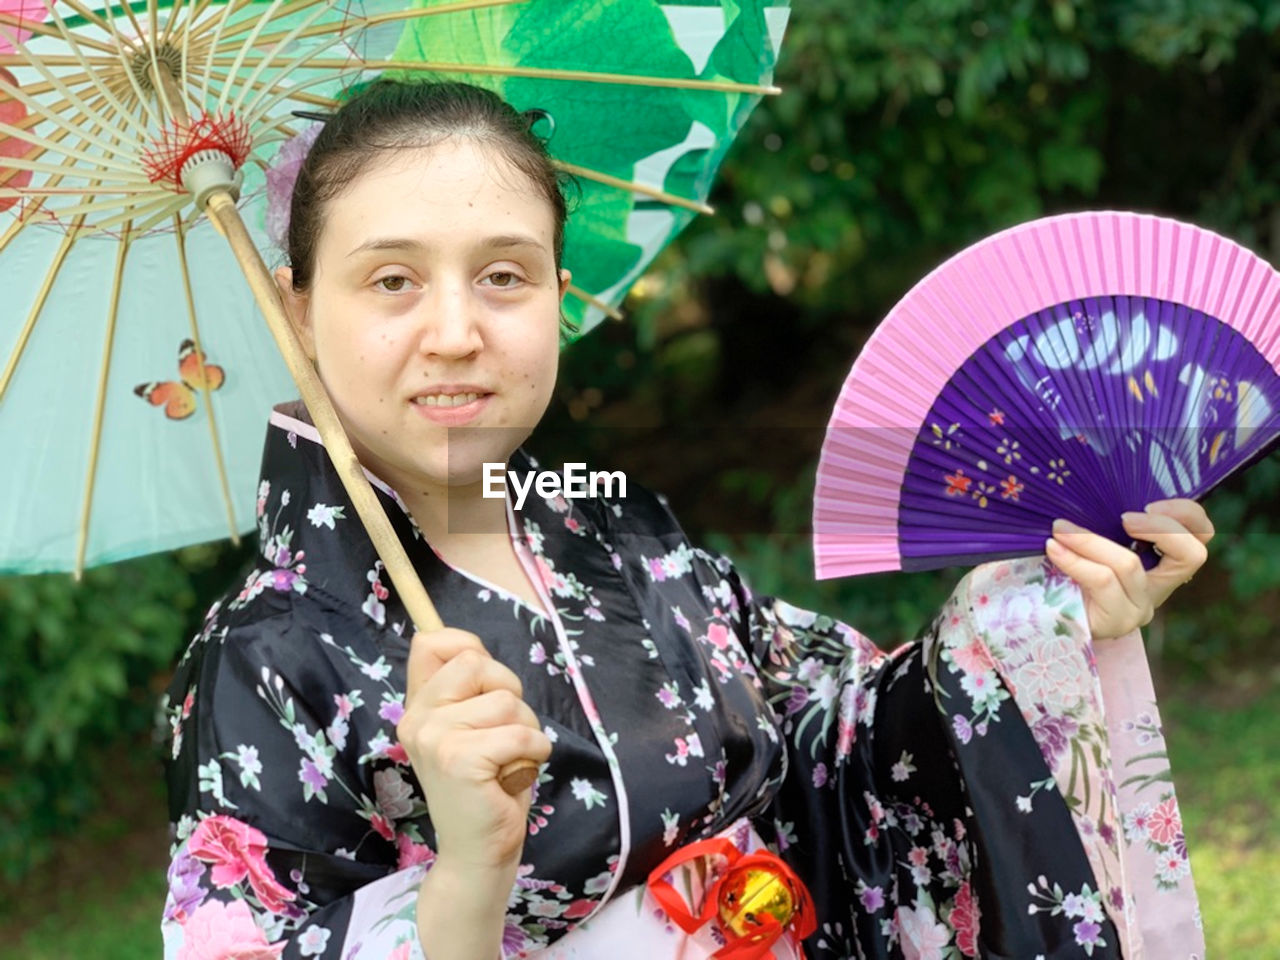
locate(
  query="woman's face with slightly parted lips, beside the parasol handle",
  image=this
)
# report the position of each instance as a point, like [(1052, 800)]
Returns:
[(435, 313)]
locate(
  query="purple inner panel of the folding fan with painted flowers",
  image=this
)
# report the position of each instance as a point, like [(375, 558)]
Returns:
[(1084, 412)]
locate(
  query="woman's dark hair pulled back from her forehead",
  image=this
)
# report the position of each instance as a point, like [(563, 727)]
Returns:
[(395, 115)]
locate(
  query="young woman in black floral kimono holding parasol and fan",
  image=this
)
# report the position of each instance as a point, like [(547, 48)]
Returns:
[(335, 776)]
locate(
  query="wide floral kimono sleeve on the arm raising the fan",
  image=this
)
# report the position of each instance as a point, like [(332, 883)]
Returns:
[(956, 798)]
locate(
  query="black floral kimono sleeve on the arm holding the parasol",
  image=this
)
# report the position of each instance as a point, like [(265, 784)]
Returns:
[(280, 802)]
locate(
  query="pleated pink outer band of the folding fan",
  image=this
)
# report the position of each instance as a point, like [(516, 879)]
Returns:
[(1025, 269)]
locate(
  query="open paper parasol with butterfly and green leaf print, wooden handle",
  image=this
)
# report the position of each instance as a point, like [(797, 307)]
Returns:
[(132, 135)]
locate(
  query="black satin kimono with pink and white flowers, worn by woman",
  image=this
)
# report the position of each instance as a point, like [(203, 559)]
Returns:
[(930, 812)]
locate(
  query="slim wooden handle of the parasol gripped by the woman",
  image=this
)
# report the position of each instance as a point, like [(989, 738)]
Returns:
[(221, 208)]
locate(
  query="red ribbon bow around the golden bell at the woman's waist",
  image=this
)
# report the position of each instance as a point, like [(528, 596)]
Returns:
[(757, 945)]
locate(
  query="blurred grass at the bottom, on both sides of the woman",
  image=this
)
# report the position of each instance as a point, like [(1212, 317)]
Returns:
[(102, 897)]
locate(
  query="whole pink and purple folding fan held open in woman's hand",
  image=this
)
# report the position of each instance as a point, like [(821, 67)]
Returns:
[(1076, 367)]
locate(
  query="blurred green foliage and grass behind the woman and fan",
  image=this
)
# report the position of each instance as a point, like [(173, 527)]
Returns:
[(907, 131)]
